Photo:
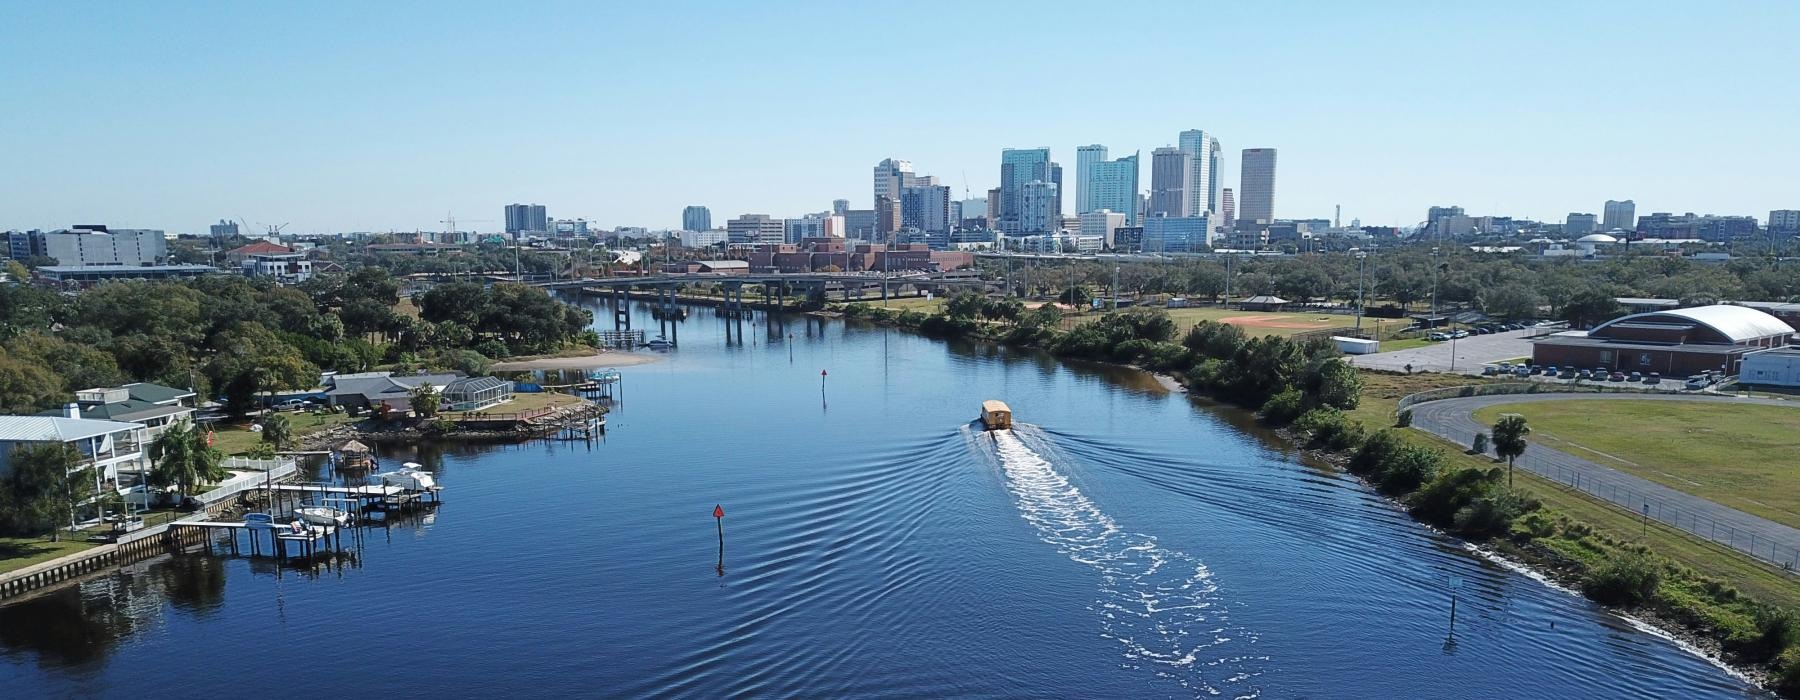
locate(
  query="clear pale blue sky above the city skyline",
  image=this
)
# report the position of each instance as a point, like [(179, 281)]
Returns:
[(393, 116)]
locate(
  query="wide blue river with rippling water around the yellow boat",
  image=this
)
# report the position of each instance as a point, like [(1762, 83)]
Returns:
[(1122, 543)]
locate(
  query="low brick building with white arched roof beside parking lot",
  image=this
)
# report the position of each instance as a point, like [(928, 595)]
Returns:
[(1673, 343)]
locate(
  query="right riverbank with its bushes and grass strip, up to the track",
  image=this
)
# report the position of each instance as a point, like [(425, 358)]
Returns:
[(1709, 598)]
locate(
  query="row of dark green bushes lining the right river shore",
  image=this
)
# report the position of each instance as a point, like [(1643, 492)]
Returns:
[(1308, 393)]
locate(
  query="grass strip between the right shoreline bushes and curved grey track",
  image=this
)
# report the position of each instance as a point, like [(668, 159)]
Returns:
[(1749, 575)]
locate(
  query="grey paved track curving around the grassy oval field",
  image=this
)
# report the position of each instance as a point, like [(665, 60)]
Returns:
[(1768, 541)]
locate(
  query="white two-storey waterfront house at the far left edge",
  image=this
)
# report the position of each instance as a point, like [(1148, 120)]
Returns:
[(116, 451)]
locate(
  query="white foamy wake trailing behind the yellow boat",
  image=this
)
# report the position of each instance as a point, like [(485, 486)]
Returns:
[(1160, 606)]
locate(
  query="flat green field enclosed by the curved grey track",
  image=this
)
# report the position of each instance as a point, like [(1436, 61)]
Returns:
[(1740, 456)]
